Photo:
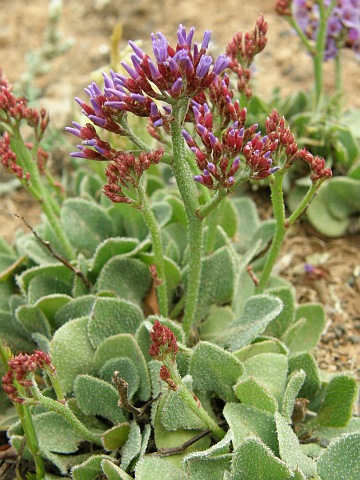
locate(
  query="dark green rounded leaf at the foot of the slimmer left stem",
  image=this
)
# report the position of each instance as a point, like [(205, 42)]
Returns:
[(129, 278)]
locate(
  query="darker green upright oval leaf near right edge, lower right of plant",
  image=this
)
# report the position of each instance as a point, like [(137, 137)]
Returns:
[(340, 395)]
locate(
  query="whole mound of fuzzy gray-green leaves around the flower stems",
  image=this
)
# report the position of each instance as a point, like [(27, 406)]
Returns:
[(251, 363)]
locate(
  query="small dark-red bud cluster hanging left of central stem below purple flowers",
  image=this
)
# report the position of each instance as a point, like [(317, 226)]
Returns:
[(125, 172)]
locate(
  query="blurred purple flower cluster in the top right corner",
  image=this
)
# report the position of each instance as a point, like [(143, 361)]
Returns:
[(343, 24)]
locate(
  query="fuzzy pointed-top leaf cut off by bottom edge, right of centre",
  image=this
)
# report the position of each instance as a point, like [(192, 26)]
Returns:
[(253, 460)]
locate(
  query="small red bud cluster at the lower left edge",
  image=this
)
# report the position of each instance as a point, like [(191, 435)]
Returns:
[(19, 369)]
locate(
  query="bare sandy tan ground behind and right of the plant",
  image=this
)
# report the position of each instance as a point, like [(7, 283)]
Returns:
[(283, 64)]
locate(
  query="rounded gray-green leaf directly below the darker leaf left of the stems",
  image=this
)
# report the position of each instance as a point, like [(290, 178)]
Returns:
[(111, 316)]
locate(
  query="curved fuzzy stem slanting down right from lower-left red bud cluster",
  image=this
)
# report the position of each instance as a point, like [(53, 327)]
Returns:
[(63, 410)]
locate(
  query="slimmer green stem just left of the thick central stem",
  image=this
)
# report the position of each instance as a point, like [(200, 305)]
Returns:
[(154, 229)]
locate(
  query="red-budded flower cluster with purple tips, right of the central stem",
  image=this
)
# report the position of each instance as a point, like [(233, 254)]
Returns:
[(219, 160)]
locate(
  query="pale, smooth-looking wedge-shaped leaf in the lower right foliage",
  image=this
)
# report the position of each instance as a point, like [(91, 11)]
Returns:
[(270, 370)]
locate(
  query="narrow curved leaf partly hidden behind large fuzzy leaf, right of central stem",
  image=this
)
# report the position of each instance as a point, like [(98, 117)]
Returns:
[(279, 325)]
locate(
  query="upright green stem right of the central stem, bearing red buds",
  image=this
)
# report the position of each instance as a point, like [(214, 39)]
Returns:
[(277, 200)]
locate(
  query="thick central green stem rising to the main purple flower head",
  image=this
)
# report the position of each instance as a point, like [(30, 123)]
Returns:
[(188, 191)]
